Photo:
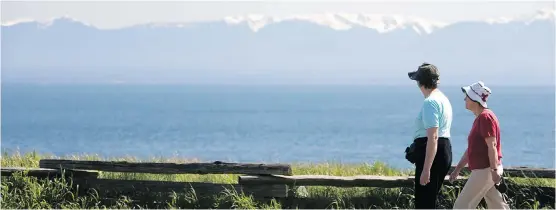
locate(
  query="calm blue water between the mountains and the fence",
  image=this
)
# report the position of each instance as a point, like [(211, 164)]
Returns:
[(253, 124)]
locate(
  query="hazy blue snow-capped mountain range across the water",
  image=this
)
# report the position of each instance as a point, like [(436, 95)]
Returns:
[(314, 48)]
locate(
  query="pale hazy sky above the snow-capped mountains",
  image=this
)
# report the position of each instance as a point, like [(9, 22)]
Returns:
[(113, 14)]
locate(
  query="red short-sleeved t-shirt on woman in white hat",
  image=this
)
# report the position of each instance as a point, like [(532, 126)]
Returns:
[(485, 125)]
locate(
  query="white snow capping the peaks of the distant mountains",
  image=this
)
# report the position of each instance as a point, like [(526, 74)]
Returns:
[(338, 21)]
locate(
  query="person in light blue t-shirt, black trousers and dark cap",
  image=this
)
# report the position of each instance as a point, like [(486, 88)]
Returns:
[(433, 151)]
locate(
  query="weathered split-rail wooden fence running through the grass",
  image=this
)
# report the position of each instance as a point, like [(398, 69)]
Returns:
[(259, 180)]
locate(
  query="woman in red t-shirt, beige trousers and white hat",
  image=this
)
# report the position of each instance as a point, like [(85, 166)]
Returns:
[(483, 153)]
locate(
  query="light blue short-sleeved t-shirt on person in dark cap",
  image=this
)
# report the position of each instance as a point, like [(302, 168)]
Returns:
[(435, 112)]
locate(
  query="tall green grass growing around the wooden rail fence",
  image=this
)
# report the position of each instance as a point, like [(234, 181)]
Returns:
[(29, 192)]
